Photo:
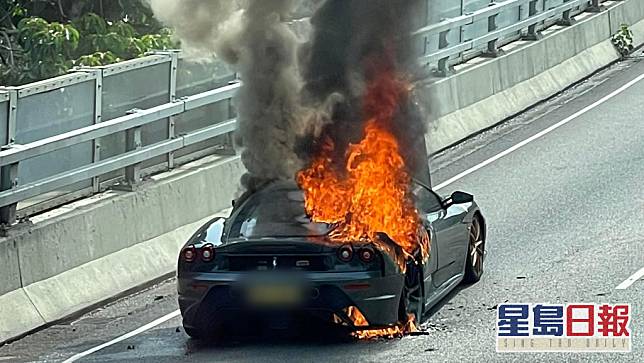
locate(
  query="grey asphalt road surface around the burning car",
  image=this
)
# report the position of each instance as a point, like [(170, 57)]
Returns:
[(566, 224)]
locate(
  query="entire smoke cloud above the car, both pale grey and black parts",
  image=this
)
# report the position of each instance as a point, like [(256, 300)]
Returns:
[(294, 94)]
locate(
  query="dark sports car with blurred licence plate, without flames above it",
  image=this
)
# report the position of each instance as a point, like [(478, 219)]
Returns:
[(270, 261)]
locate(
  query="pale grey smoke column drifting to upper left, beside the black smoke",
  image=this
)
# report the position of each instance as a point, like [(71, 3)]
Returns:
[(262, 48)]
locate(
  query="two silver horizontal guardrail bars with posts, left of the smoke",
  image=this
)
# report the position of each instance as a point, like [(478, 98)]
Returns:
[(130, 160)]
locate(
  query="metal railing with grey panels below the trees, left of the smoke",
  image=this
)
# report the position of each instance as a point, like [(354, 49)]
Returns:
[(60, 148)]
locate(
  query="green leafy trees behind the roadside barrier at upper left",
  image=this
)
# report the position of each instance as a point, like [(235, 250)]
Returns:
[(45, 38)]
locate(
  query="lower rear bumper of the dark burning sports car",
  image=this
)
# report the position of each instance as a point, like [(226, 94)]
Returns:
[(211, 298)]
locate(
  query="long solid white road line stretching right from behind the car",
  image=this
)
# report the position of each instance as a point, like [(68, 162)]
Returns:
[(539, 135)]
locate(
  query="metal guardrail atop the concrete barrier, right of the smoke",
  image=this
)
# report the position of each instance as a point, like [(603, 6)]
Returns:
[(534, 16)]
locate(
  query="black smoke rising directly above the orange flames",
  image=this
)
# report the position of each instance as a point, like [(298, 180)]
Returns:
[(352, 40)]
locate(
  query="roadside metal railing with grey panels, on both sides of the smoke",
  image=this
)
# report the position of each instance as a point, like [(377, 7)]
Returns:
[(77, 134)]
